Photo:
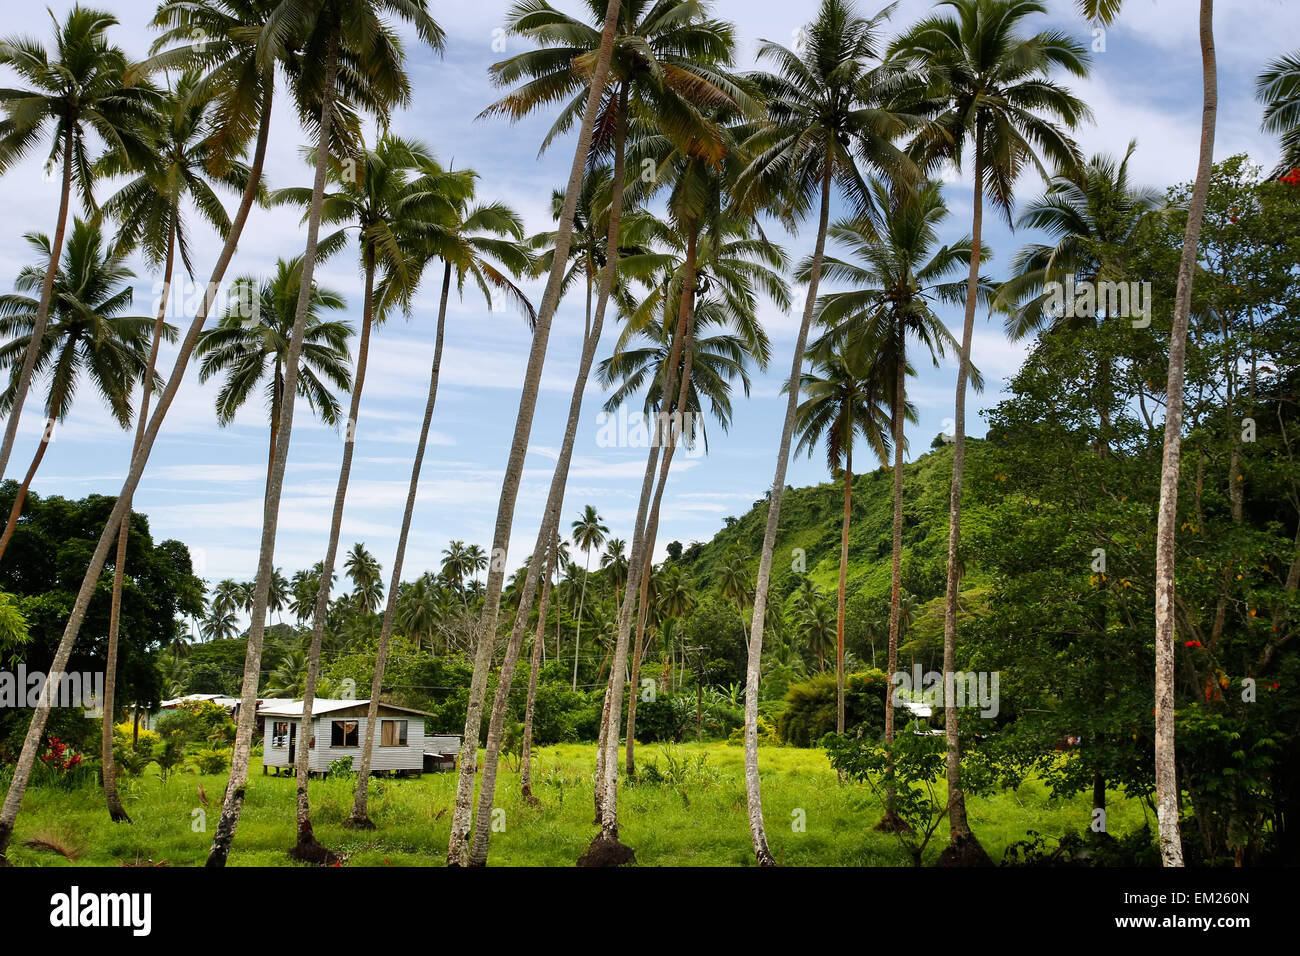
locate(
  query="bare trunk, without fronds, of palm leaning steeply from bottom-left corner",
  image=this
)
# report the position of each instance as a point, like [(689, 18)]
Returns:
[(90, 582)]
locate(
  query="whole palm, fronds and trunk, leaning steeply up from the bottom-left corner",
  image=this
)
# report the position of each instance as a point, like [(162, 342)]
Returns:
[(222, 40)]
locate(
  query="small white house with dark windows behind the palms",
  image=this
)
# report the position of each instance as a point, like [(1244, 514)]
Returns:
[(339, 730)]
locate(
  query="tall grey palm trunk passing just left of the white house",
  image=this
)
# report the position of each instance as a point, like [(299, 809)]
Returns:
[(235, 797)]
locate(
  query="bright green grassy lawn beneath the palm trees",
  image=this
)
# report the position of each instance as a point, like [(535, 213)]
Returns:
[(700, 821)]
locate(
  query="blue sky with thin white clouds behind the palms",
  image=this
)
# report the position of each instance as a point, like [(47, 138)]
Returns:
[(205, 483)]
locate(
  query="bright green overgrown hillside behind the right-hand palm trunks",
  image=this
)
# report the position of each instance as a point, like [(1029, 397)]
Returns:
[(811, 530)]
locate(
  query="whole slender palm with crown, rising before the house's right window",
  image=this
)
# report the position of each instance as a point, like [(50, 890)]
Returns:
[(480, 244)]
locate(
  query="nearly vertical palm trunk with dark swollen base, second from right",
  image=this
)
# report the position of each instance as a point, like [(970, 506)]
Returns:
[(961, 840)]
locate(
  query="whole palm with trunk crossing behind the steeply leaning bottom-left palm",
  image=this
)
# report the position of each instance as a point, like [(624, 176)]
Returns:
[(150, 213)]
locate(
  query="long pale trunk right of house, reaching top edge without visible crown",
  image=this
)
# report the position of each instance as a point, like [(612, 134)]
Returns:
[(458, 846)]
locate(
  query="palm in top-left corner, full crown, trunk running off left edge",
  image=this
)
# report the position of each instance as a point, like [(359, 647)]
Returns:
[(80, 90)]
